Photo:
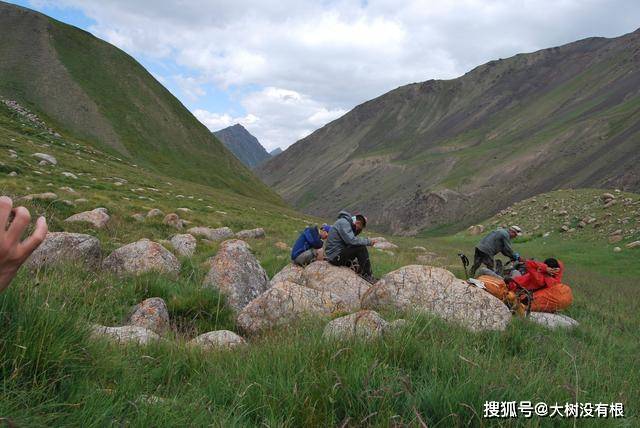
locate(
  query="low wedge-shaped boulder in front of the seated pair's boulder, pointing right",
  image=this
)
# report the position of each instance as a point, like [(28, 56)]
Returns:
[(284, 304)]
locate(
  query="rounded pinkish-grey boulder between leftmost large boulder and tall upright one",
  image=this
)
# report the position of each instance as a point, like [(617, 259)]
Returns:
[(142, 256)]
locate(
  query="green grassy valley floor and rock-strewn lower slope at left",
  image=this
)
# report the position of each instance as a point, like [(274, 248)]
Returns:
[(53, 374)]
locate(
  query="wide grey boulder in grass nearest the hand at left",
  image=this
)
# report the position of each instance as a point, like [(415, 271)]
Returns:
[(64, 247)]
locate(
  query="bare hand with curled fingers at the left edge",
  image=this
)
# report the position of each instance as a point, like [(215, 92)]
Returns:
[(14, 253)]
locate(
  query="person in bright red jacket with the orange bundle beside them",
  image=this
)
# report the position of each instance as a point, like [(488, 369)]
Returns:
[(544, 280)]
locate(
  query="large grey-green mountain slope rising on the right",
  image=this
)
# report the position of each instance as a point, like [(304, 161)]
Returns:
[(451, 152)]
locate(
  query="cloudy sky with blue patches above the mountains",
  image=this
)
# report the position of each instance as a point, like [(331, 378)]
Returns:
[(285, 68)]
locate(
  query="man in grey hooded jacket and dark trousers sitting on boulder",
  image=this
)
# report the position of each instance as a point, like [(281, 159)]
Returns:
[(345, 248)]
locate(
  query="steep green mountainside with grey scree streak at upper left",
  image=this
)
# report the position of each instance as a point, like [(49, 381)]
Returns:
[(88, 89)]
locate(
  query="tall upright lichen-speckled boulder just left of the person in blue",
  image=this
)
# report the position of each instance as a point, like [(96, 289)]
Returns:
[(237, 274)]
